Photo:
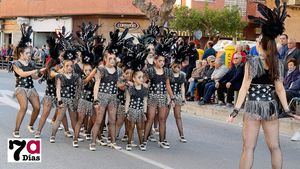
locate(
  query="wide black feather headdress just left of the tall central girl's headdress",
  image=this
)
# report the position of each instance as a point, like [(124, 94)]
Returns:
[(89, 43)]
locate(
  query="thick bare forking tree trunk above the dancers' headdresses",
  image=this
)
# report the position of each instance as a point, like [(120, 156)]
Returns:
[(159, 16)]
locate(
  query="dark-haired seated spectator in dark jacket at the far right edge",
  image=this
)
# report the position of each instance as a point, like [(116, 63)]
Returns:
[(292, 73)]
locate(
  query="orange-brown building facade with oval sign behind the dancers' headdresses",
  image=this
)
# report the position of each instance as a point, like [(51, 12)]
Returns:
[(48, 16)]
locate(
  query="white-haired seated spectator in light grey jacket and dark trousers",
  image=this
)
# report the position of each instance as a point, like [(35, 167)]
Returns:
[(209, 89)]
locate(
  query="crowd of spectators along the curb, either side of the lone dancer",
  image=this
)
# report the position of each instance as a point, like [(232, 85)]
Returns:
[(213, 82)]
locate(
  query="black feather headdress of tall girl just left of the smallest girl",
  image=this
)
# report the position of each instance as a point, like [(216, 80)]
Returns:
[(117, 41)]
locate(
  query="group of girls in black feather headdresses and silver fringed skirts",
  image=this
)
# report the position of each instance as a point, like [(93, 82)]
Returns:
[(133, 82)]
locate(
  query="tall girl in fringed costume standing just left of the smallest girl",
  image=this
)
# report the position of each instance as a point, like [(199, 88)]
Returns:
[(105, 90)]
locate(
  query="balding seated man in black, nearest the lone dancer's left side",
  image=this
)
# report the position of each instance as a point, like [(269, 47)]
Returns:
[(231, 82)]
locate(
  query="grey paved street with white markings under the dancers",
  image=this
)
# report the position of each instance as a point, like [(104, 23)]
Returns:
[(211, 144)]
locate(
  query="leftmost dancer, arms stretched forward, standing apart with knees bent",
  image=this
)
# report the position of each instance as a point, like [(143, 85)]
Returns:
[(25, 71)]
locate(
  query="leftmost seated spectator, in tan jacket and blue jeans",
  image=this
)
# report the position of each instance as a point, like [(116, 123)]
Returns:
[(196, 74)]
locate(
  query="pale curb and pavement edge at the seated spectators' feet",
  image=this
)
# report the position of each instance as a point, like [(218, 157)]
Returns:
[(221, 113)]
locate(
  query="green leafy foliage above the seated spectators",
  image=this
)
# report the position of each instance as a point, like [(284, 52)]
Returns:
[(224, 22)]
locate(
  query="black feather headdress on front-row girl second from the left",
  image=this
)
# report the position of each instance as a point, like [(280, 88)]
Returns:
[(66, 41)]
